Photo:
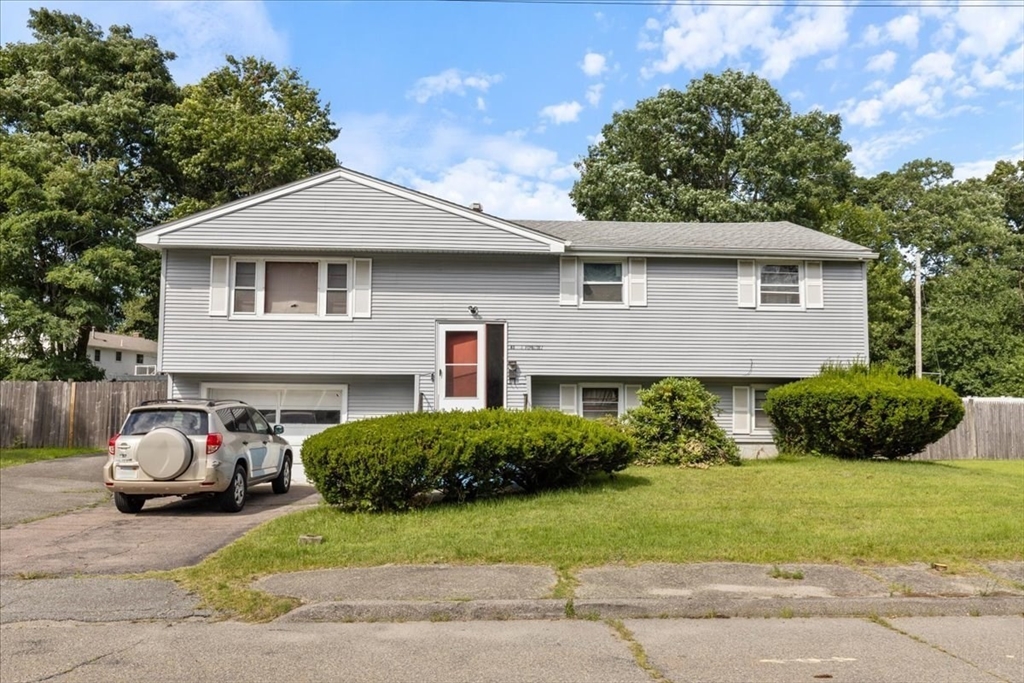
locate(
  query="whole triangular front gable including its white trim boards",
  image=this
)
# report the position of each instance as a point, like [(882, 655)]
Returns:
[(346, 210)]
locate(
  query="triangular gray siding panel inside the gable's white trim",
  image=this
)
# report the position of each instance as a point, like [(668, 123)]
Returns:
[(343, 215)]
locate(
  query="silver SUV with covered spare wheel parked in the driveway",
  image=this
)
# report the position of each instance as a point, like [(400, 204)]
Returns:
[(195, 448)]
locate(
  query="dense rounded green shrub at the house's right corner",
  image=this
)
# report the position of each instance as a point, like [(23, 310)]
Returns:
[(859, 412)]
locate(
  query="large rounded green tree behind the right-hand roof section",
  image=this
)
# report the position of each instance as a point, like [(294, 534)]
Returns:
[(728, 149)]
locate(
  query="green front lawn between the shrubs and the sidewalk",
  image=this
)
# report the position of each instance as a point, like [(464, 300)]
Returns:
[(778, 511)]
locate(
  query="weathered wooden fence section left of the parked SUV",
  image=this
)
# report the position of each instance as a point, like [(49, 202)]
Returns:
[(38, 415)]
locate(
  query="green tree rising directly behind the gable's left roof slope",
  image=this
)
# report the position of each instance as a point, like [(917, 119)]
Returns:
[(247, 127)]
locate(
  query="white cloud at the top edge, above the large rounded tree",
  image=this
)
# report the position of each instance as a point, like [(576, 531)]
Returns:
[(699, 38)]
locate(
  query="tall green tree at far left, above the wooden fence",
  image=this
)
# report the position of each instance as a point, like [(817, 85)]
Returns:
[(80, 173)]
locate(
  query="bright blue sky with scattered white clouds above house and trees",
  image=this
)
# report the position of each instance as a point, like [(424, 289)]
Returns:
[(493, 103)]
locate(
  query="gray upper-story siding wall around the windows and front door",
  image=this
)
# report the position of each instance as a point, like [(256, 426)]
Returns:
[(692, 326)]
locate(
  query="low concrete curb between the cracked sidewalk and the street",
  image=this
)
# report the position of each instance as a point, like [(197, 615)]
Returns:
[(439, 611)]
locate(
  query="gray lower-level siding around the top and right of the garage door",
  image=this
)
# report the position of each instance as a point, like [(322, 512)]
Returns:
[(368, 397)]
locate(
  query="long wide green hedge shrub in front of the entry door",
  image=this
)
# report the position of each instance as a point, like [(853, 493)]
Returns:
[(390, 463)]
